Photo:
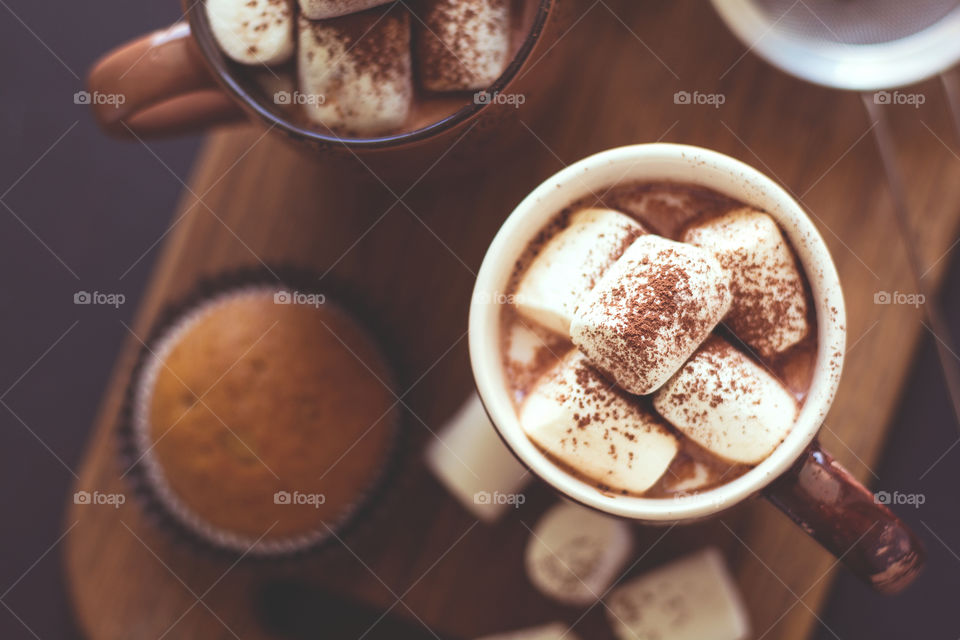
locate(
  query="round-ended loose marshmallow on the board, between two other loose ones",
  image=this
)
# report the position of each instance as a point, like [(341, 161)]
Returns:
[(574, 554)]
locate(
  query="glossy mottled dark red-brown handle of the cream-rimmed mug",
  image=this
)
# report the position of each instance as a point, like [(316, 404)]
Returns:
[(846, 518)]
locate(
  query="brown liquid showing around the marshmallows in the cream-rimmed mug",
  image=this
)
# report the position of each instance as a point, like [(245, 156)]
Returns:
[(666, 209)]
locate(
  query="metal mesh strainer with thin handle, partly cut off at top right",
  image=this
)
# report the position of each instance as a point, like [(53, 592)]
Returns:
[(866, 45)]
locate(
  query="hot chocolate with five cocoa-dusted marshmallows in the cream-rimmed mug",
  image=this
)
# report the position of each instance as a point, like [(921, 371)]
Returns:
[(658, 339)]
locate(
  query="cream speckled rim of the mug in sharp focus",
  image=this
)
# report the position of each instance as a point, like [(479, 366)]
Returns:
[(657, 161)]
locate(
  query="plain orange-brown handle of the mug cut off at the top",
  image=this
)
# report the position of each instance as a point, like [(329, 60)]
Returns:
[(160, 86)]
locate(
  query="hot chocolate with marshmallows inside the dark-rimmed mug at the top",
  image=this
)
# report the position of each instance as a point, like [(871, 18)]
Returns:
[(368, 68)]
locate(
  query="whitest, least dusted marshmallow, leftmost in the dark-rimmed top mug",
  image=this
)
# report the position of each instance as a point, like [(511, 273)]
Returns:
[(253, 31)]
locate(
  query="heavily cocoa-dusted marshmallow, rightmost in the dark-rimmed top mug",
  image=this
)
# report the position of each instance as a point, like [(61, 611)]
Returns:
[(462, 44)]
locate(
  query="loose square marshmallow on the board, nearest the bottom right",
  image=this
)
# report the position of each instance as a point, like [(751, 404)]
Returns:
[(689, 599)]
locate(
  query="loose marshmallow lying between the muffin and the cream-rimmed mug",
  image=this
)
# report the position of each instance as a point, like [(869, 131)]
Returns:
[(471, 461)]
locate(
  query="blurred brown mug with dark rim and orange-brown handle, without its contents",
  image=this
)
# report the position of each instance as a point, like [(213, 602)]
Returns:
[(178, 80)]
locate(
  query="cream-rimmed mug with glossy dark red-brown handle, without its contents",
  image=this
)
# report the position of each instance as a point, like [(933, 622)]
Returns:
[(798, 476)]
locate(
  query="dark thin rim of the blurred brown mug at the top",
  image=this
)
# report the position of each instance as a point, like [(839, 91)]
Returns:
[(217, 62)]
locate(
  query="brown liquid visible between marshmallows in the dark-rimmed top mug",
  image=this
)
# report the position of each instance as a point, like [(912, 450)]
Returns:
[(427, 108)]
